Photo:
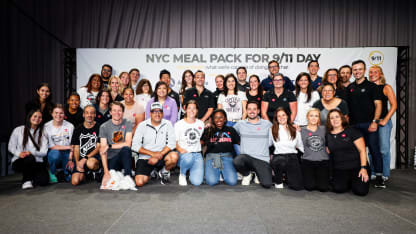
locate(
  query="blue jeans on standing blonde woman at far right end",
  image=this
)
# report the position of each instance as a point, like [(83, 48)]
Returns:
[(384, 133)]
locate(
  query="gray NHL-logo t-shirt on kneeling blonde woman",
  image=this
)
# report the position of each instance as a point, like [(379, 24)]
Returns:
[(314, 144)]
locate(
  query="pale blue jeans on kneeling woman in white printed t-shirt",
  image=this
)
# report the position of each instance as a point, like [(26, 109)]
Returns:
[(195, 164)]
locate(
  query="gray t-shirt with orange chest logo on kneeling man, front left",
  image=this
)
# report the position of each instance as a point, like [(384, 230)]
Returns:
[(114, 134)]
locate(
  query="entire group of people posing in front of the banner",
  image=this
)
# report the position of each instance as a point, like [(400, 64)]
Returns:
[(311, 134)]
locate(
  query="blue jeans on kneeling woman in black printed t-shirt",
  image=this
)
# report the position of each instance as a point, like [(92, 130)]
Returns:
[(212, 175)]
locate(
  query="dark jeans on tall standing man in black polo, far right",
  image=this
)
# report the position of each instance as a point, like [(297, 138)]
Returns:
[(373, 144)]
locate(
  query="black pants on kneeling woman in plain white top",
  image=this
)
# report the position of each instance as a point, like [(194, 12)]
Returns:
[(289, 164)]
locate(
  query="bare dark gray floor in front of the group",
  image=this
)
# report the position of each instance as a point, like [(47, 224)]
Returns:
[(62, 208)]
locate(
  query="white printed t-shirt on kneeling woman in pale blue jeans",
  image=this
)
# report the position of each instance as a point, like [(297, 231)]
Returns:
[(188, 135)]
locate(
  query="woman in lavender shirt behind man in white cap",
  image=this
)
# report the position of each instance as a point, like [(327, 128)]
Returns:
[(170, 108)]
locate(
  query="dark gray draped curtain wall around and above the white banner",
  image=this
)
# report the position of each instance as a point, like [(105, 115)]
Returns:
[(29, 55)]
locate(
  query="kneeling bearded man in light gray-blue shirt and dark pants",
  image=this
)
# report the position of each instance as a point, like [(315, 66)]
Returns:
[(255, 142)]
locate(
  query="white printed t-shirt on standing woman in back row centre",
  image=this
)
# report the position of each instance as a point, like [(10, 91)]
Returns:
[(232, 105)]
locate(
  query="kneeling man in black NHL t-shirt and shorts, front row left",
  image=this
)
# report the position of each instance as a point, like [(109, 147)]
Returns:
[(86, 146)]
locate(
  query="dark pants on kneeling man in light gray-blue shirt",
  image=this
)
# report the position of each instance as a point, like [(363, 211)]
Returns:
[(244, 164)]
